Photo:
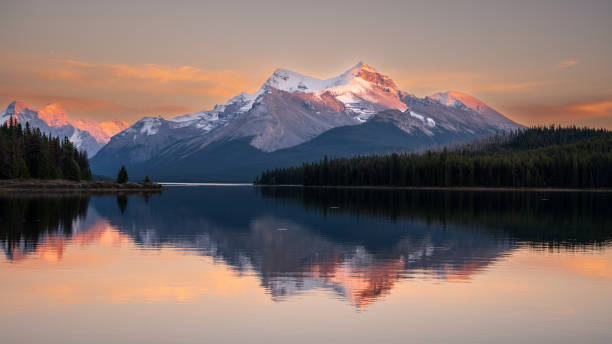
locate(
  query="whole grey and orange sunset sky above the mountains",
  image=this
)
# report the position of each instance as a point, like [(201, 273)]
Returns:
[(537, 61)]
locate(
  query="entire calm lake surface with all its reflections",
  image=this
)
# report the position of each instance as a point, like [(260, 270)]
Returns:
[(238, 264)]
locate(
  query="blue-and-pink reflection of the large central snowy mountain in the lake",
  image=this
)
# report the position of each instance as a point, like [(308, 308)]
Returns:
[(243, 230)]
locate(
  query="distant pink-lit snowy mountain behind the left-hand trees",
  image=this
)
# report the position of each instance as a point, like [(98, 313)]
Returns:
[(53, 120)]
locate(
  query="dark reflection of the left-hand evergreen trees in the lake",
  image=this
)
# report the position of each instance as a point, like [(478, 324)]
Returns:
[(27, 217)]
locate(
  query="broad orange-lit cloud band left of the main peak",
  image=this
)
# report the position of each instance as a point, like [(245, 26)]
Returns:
[(100, 91)]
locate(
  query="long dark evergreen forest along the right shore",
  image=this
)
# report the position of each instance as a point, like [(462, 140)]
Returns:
[(533, 157)]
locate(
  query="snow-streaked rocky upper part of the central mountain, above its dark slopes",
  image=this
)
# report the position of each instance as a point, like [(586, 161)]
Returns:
[(291, 108)]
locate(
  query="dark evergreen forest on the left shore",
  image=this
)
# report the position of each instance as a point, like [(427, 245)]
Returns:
[(28, 153)]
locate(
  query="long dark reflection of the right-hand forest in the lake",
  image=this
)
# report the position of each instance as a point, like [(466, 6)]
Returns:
[(549, 219)]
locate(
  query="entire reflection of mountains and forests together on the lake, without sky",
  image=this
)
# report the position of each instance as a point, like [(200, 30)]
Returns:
[(358, 243)]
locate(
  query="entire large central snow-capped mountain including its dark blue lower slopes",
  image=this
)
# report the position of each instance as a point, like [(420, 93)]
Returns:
[(292, 119)]
